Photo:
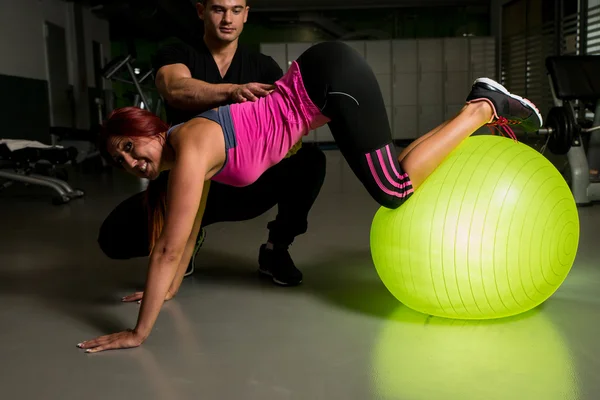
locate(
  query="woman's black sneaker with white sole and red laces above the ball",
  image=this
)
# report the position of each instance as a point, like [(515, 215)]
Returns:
[(509, 109)]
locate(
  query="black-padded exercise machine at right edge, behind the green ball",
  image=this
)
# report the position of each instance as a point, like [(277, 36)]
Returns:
[(575, 86)]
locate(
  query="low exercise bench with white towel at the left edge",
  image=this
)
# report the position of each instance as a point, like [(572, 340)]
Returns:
[(20, 160)]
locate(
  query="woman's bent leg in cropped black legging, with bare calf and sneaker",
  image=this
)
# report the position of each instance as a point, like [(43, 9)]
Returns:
[(344, 87)]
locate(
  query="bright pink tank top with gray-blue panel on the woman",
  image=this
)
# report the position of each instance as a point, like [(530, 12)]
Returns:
[(265, 130)]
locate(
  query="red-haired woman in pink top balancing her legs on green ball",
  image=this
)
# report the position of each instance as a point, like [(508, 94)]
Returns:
[(329, 83)]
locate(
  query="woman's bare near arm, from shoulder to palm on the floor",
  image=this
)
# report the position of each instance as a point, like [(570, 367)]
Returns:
[(197, 157)]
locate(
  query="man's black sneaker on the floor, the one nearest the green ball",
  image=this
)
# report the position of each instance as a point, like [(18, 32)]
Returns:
[(278, 264)]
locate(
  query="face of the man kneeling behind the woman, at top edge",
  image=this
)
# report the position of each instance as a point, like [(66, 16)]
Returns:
[(223, 19)]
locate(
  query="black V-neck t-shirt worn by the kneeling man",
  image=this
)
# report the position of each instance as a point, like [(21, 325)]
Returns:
[(246, 66)]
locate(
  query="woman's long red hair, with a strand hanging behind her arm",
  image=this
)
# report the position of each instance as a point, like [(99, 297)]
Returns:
[(135, 122)]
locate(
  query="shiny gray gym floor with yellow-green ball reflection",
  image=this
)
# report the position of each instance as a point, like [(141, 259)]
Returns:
[(230, 335)]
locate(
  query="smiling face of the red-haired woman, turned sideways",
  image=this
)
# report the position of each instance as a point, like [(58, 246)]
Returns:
[(140, 156)]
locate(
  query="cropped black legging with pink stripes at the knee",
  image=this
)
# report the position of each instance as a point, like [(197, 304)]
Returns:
[(341, 83)]
